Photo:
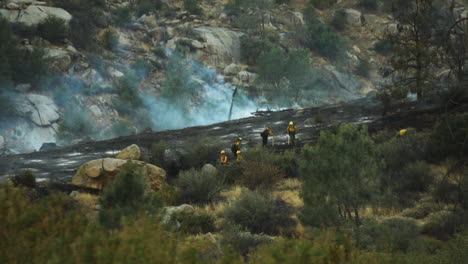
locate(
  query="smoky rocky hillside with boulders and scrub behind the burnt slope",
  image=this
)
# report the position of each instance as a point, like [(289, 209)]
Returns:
[(81, 69)]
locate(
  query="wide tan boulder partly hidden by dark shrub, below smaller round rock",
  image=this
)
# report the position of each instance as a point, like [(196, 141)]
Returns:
[(96, 174)]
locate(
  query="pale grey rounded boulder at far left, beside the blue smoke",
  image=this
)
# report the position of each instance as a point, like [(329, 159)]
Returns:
[(40, 109)]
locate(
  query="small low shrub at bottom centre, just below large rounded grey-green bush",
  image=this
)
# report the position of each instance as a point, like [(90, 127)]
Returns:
[(242, 241)]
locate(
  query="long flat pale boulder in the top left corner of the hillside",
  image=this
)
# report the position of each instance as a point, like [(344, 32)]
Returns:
[(33, 14)]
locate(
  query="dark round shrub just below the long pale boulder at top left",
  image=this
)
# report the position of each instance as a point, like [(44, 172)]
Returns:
[(53, 29)]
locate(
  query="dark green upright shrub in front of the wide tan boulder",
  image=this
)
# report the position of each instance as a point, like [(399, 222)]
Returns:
[(125, 196)]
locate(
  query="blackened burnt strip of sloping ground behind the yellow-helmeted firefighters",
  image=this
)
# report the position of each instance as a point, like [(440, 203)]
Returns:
[(62, 163)]
